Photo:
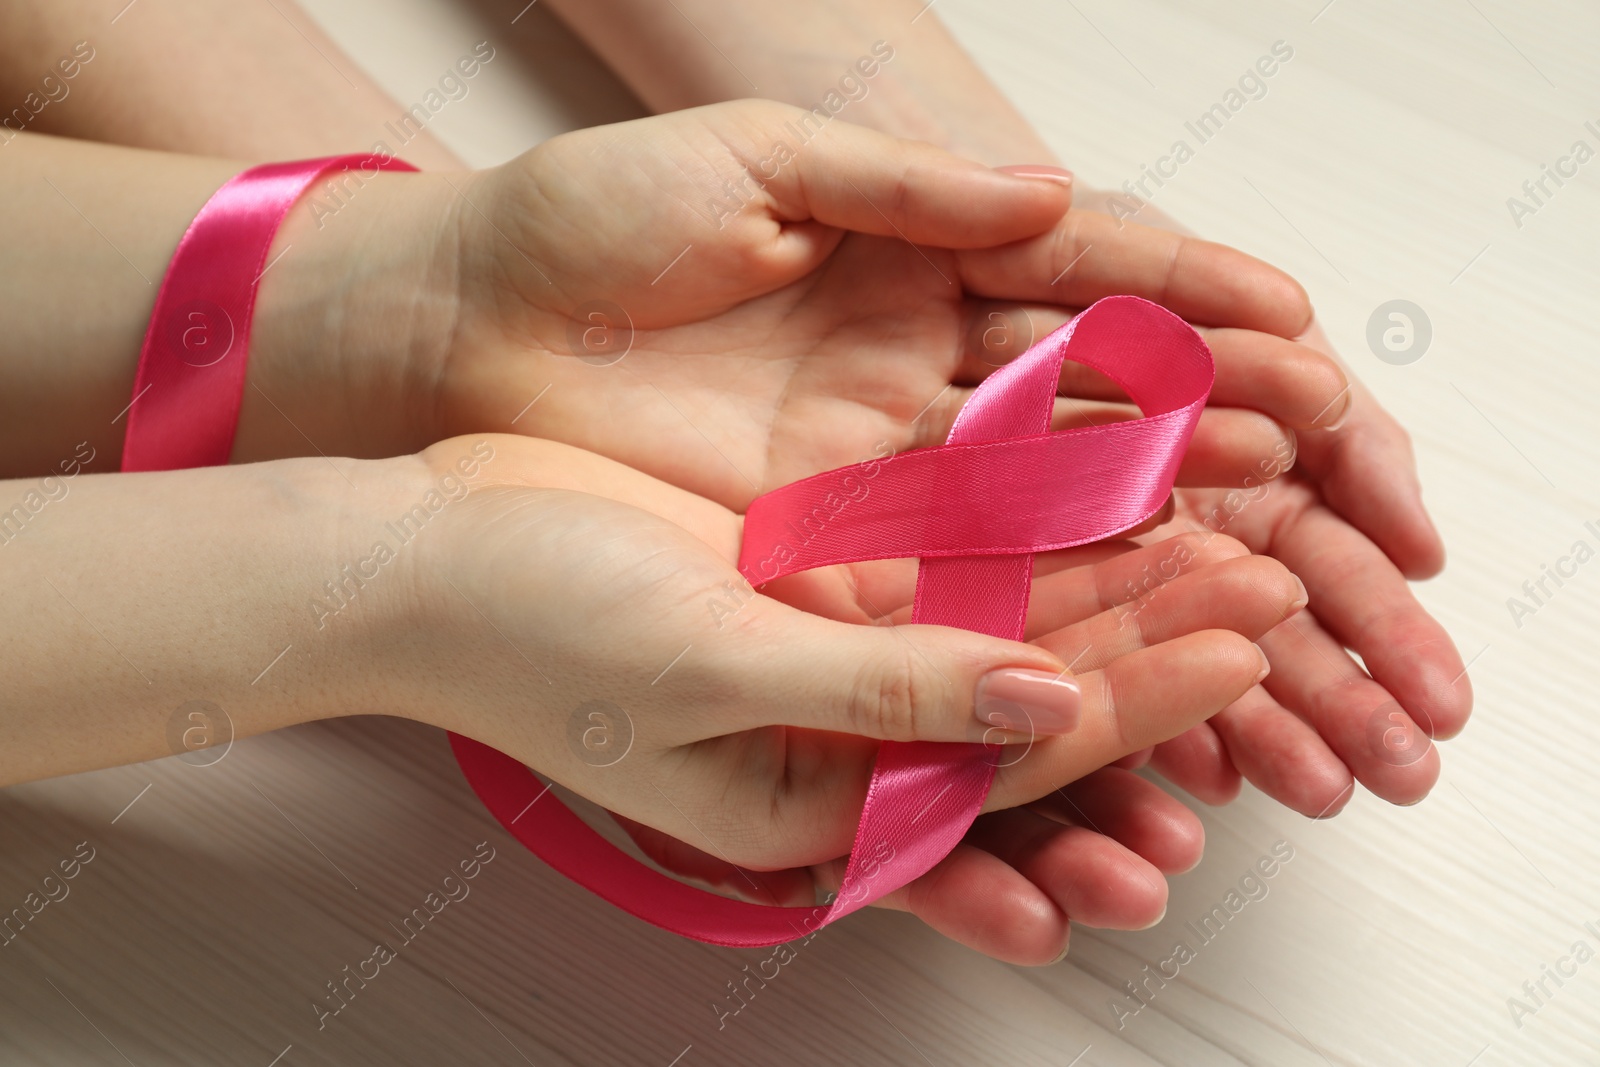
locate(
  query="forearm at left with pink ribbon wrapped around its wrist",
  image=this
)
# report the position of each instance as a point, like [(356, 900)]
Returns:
[(86, 242)]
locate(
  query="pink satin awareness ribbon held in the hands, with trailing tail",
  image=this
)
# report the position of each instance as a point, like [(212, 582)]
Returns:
[(975, 511)]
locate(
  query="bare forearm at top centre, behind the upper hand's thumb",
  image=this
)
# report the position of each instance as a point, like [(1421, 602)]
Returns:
[(930, 90)]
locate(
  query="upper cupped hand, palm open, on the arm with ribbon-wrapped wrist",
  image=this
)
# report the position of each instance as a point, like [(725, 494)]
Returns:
[(767, 330)]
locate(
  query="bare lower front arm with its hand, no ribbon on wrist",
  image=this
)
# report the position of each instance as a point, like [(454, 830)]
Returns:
[(447, 633)]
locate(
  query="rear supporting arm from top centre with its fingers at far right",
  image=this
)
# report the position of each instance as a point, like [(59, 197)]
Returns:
[(1351, 521)]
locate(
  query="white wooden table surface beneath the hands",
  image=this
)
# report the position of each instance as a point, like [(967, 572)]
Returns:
[(222, 900)]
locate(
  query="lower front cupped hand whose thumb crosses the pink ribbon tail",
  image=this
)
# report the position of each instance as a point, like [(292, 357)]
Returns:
[(559, 583)]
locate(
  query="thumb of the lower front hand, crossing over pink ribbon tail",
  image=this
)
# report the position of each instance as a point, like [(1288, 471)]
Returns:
[(916, 684)]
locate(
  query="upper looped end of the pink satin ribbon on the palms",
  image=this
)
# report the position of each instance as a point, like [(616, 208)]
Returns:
[(996, 489)]
